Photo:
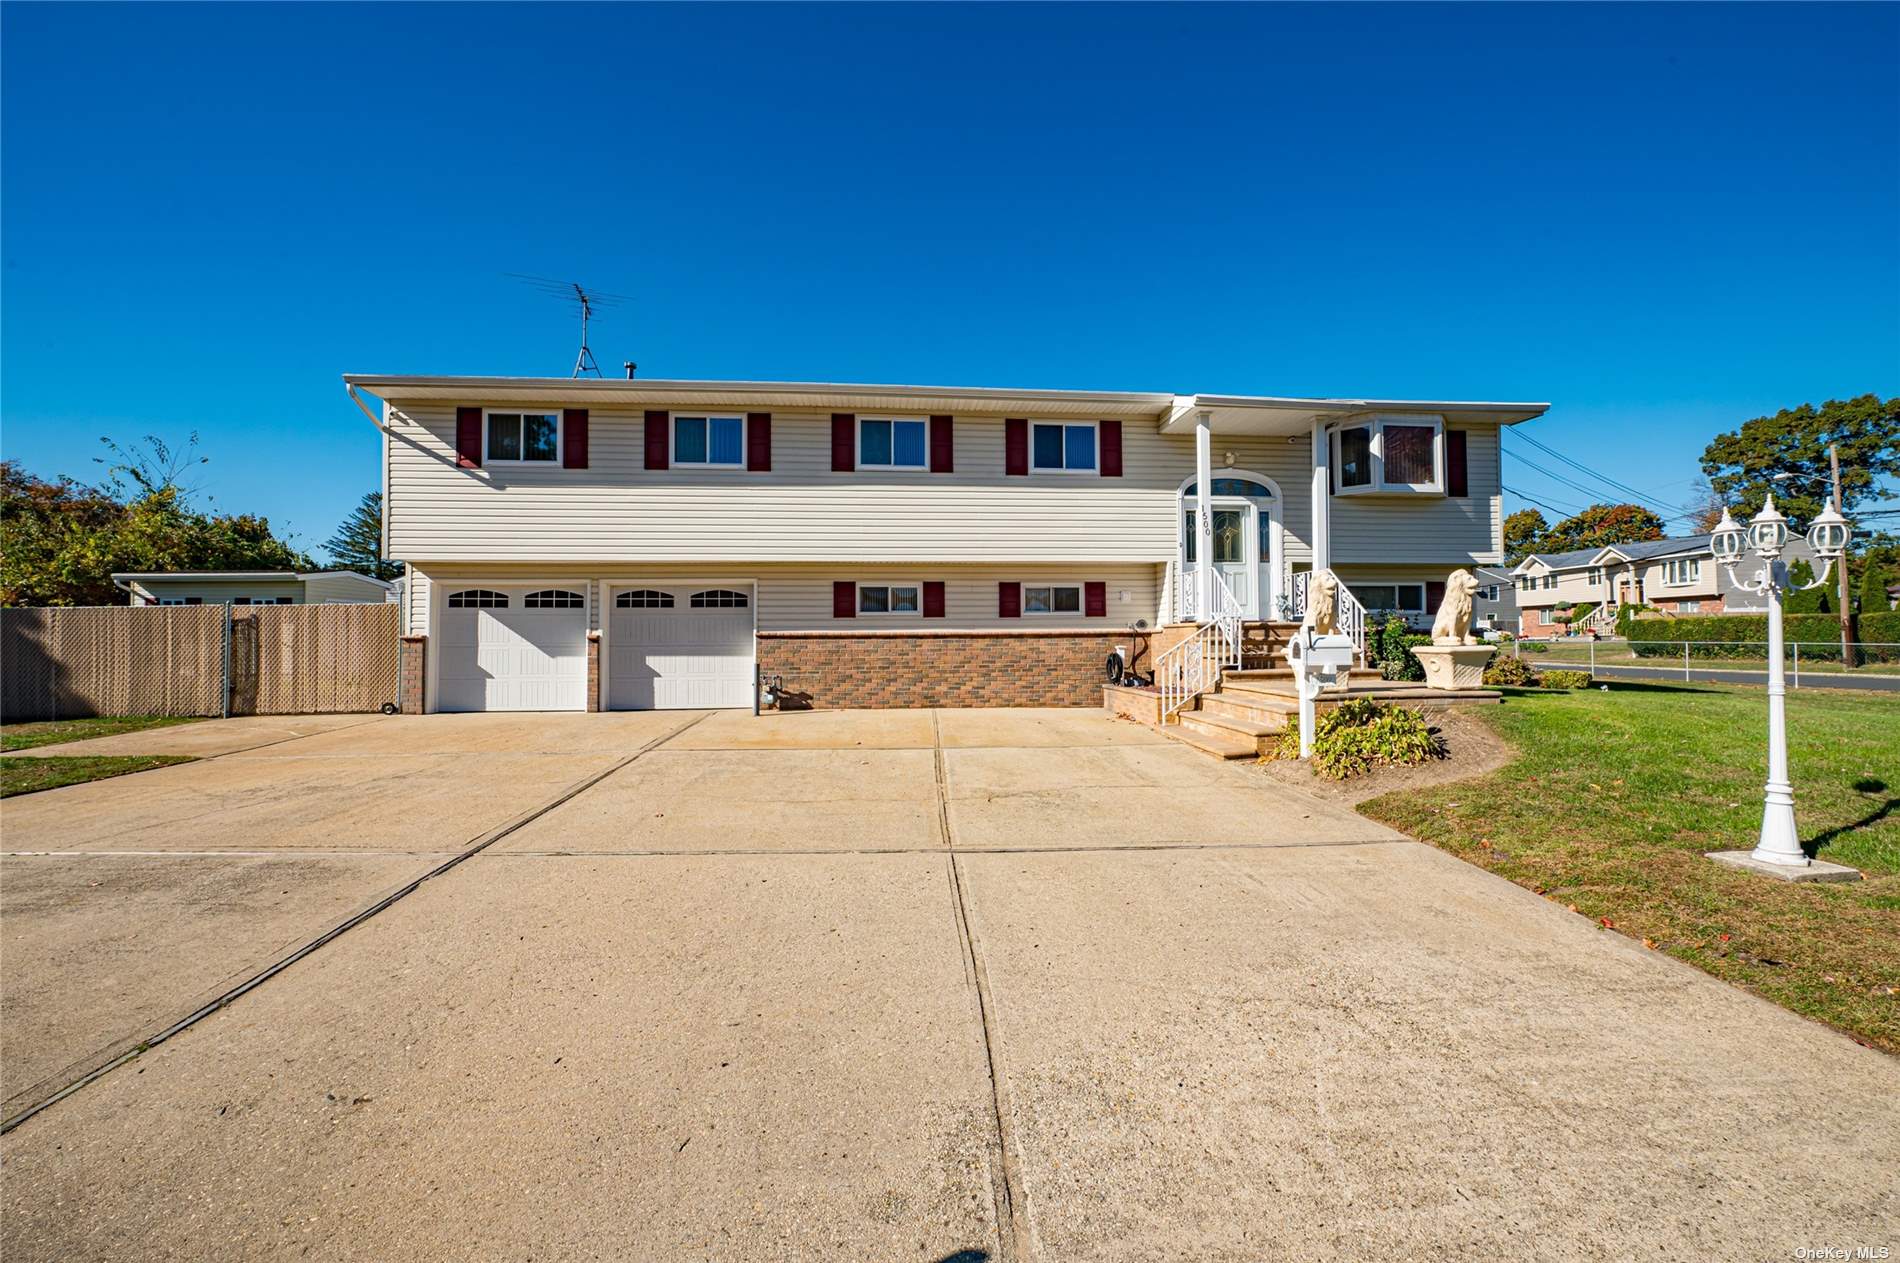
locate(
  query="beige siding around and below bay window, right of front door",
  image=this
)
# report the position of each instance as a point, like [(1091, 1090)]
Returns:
[(1456, 531)]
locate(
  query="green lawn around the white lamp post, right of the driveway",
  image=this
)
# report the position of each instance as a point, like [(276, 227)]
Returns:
[(1616, 797)]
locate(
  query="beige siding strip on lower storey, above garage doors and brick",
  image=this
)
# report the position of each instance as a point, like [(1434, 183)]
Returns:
[(799, 597)]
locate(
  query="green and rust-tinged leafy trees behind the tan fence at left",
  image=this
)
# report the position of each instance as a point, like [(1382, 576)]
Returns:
[(62, 542)]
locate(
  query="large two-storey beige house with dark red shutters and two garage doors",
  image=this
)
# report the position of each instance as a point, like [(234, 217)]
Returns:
[(628, 544)]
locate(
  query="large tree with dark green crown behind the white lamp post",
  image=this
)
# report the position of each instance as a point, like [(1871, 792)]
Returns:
[(1743, 466)]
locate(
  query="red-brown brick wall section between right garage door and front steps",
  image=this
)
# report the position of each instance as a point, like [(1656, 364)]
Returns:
[(941, 669)]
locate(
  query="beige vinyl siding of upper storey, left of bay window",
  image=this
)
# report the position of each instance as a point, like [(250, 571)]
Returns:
[(620, 512)]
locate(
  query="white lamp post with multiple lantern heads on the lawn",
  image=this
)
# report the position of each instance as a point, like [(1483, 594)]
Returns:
[(1768, 535)]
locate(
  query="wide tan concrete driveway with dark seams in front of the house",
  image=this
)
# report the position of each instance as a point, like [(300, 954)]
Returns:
[(858, 987)]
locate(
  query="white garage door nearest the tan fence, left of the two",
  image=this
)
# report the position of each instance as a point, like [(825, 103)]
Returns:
[(512, 649)]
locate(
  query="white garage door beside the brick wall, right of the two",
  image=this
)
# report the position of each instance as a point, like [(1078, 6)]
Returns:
[(679, 649)]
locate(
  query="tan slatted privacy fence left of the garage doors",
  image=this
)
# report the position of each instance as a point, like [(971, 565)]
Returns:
[(170, 660)]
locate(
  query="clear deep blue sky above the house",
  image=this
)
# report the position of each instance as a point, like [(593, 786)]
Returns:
[(1663, 219)]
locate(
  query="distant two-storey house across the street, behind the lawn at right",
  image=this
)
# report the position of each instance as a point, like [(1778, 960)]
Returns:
[(1673, 576)]
